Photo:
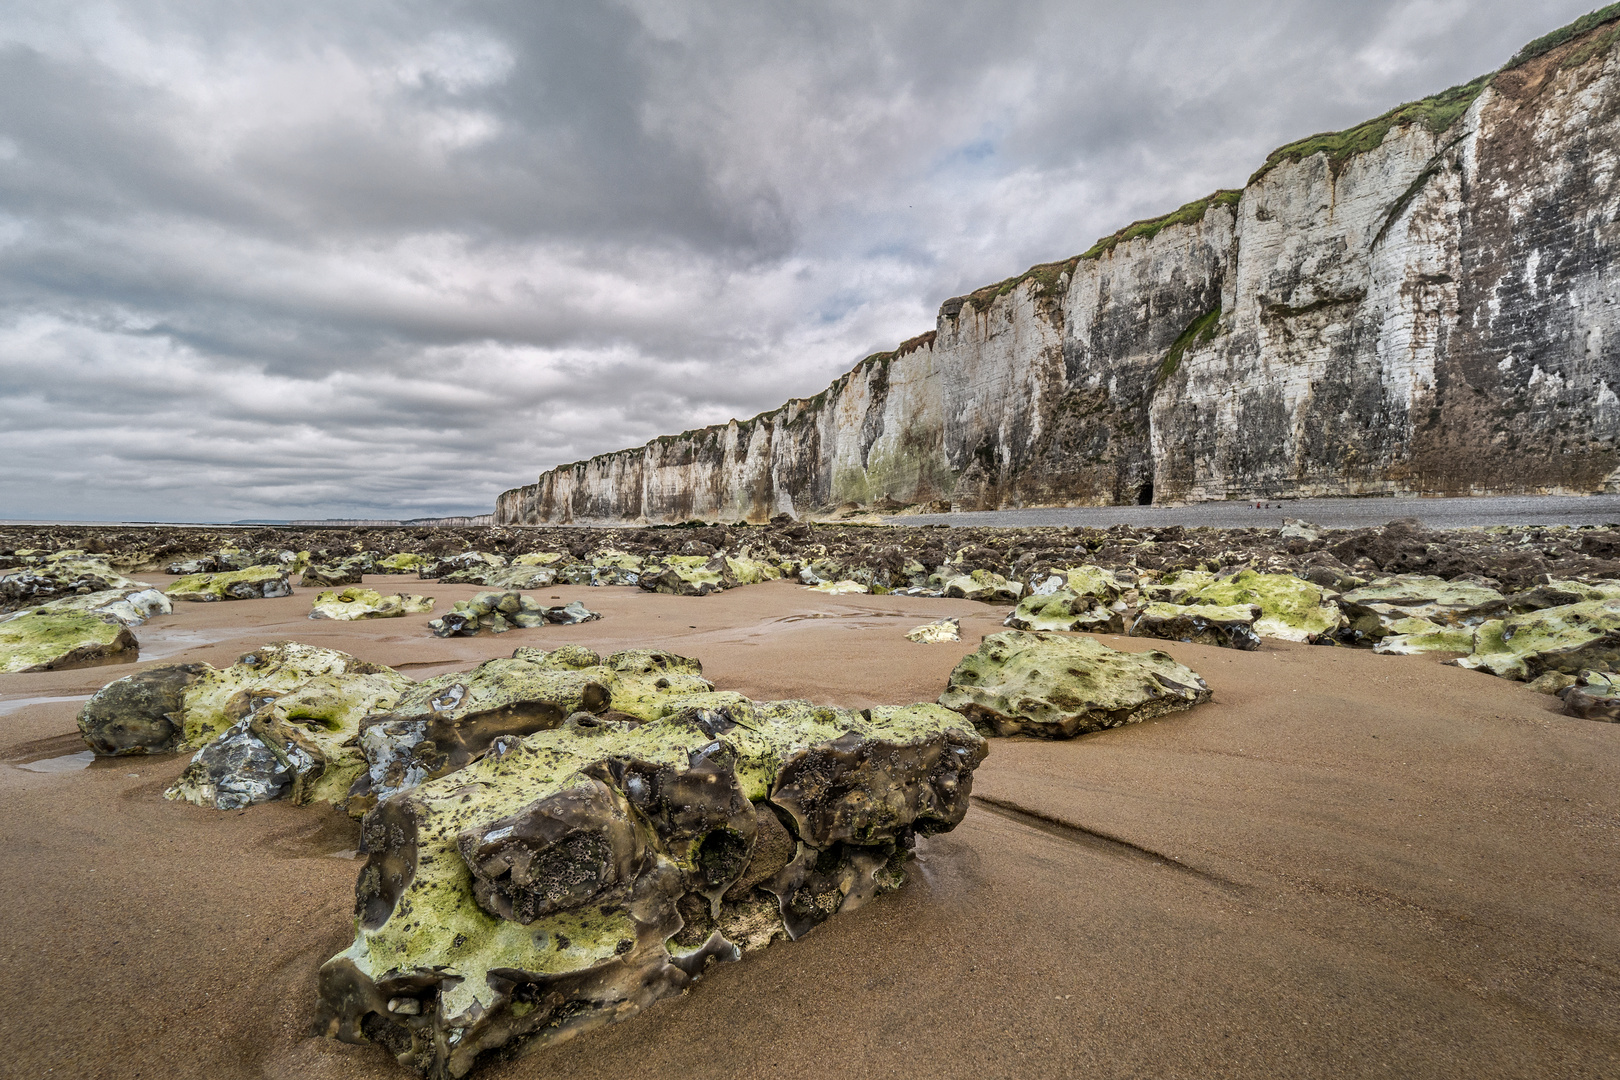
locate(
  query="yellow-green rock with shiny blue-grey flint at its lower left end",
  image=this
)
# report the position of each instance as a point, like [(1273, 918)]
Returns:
[(301, 744)]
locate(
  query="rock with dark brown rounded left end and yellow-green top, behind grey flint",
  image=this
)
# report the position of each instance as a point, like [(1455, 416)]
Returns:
[(137, 715)]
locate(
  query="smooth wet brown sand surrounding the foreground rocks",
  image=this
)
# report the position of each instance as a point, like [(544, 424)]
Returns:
[(1347, 865)]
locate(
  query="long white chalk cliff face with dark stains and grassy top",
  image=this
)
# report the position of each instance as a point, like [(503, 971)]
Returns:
[(1428, 313)]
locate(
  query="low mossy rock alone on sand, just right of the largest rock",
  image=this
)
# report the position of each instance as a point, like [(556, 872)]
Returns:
[(1059, 687)]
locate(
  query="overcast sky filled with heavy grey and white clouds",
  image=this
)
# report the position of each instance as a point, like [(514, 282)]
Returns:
[(388, 260)]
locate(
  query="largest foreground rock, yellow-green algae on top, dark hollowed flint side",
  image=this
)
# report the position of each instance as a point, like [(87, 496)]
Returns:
[(582, 874)]
